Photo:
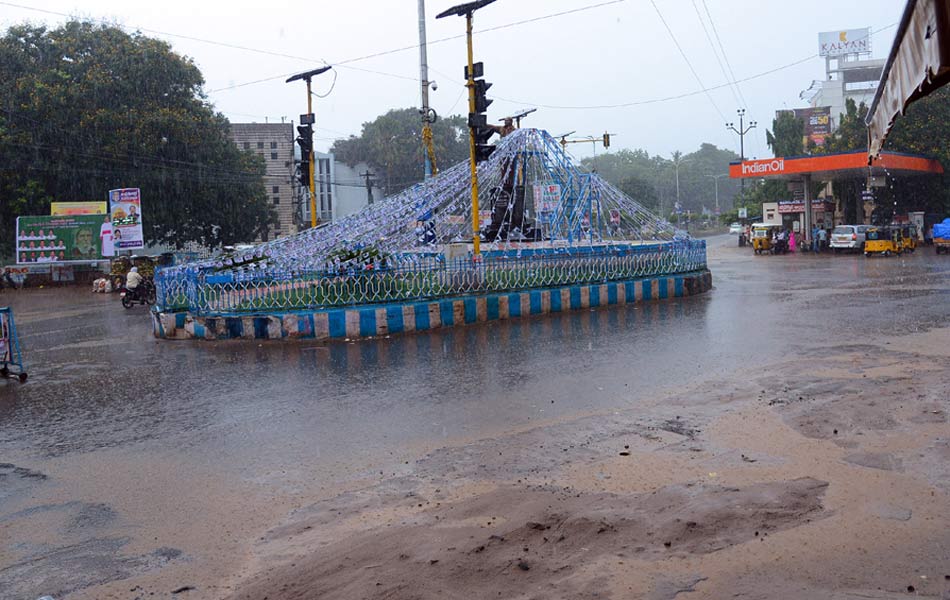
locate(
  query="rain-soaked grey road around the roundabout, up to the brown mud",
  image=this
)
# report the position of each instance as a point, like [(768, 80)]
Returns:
[(147, 430)]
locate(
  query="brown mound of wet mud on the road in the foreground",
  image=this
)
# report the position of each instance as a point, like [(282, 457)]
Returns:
[(516, 540)]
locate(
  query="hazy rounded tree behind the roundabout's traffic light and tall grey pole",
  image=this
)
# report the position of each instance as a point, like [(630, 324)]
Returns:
[(392, 145)]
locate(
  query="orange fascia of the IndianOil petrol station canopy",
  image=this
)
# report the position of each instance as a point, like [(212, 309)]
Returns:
[(830, 167)]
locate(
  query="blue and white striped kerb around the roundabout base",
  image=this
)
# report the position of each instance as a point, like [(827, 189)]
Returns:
[(388, 319)]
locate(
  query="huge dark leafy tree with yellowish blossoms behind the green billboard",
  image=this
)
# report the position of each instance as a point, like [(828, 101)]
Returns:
[(86, 108)]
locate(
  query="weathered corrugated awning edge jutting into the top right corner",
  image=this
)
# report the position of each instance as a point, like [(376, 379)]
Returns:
[(918, 64)]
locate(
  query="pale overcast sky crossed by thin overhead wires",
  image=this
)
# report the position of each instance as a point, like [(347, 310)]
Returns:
[(612, 53)]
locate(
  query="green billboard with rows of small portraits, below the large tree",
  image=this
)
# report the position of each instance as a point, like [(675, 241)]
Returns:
[(59, 239)]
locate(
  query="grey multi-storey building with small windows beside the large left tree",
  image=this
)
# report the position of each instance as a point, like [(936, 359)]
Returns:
[(274, 142)]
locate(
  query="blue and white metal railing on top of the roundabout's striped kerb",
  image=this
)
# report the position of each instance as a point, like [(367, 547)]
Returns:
[(412, 277)]
